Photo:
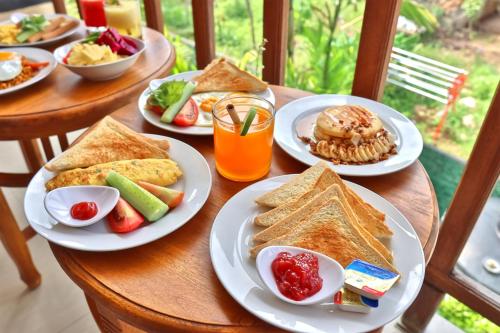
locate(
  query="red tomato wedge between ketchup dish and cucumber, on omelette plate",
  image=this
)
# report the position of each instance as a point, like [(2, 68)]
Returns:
[(124, 218)]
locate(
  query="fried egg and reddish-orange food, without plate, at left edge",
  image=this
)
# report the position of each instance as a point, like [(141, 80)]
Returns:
[(16, 69)]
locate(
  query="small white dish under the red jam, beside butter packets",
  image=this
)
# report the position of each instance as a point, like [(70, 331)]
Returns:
[(329, 270)]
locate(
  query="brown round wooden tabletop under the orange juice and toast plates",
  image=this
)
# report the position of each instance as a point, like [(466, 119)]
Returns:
[(170, 286)]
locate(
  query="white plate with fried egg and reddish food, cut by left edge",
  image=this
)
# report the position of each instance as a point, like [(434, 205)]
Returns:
[(21, 67)]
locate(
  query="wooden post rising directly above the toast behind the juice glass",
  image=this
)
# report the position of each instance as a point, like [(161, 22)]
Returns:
[(204, 36)]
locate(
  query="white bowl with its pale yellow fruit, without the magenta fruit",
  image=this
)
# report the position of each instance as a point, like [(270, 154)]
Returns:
[(96, 62)]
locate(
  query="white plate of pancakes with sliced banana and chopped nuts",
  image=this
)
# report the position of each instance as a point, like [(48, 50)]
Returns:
[(359, 136)]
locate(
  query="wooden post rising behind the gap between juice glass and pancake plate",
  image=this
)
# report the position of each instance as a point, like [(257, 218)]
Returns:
[(276, 34)]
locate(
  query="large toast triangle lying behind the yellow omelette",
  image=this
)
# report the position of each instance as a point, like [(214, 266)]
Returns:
[(108, 141)]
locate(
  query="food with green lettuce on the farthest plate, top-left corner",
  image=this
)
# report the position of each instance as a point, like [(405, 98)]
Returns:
[(35, 28)]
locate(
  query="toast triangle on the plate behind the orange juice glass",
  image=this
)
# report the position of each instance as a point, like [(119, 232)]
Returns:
[(222, 75)]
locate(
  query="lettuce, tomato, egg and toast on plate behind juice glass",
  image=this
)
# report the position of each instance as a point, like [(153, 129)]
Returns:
[(190, 103)]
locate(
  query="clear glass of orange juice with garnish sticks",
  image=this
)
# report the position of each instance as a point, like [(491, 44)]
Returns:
[(243, 156)]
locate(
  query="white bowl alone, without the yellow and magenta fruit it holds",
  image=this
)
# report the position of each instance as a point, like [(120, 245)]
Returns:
[(101, 72)]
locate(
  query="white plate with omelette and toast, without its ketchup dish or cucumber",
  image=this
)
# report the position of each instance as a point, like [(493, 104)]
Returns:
[(111, 146)]
